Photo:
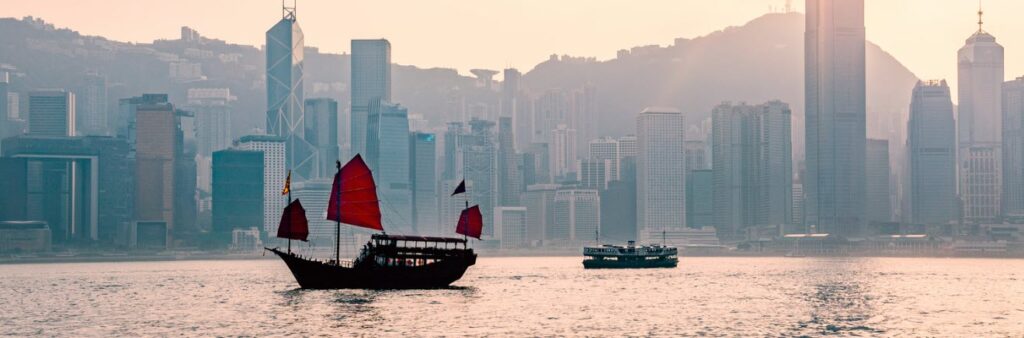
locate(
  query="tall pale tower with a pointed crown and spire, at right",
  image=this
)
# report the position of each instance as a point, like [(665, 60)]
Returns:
[(980, 75)]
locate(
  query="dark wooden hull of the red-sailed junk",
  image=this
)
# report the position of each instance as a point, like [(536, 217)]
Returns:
[(317, 275)]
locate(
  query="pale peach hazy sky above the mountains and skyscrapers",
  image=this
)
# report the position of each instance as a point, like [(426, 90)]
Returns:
[(495, 34)]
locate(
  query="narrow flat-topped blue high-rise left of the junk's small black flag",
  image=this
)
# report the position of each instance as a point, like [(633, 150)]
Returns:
[(423, 179)]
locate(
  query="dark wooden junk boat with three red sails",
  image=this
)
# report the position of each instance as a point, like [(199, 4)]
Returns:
[(388, 262)]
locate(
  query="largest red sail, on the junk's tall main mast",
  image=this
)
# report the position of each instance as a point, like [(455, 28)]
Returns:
[(354, 197)]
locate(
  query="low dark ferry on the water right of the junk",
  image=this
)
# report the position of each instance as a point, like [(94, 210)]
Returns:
[(630, 257)]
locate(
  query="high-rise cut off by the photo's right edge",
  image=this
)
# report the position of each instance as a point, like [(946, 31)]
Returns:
[(1013, 149)]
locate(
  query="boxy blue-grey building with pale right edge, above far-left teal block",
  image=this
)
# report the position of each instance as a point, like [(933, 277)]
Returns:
[(52, 113)]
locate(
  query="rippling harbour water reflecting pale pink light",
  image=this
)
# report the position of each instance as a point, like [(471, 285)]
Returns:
[(527, 298)]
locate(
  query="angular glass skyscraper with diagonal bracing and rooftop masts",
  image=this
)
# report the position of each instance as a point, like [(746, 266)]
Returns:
[(285, 96)]
